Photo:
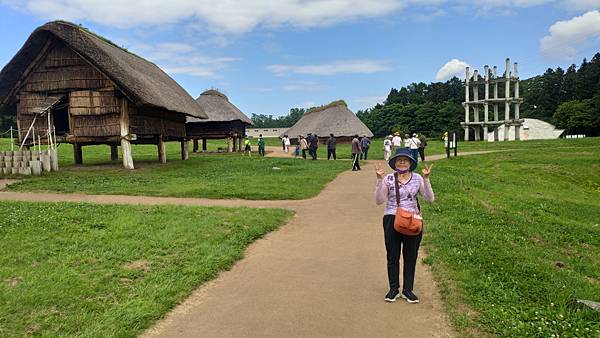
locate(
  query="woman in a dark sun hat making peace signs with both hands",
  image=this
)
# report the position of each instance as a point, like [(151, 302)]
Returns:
[(410, 184)]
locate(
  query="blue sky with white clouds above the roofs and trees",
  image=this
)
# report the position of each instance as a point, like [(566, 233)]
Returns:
[(269, 56)]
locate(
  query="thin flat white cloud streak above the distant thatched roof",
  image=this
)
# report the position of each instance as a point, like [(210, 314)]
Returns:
[(337, 67)]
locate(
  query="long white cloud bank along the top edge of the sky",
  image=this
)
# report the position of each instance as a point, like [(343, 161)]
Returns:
[(234, 16)]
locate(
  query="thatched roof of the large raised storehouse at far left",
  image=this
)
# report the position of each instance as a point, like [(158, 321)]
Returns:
[(140, 80)]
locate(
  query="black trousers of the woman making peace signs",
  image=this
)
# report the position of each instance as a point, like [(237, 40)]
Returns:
[(394, 242)]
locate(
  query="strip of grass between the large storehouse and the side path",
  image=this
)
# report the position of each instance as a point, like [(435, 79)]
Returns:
[(218, 176)]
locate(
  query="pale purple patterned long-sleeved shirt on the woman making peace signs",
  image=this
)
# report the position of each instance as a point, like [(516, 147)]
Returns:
[(385, 191)]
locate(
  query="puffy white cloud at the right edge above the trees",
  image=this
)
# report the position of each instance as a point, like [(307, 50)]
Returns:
[(567, 36)]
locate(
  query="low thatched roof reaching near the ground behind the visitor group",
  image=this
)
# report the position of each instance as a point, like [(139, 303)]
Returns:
[(334, 118)]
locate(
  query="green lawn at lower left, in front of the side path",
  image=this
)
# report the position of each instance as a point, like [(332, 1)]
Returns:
[(74, 269)]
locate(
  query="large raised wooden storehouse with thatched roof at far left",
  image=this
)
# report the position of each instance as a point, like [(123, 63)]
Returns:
[(91, 91)]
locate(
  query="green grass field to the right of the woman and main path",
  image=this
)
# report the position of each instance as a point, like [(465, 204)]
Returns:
[(514, 238)]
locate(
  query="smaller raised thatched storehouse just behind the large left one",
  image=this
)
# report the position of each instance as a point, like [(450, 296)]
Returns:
[(225, 121)]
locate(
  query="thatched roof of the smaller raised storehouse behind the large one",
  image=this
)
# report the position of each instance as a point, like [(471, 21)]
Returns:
[(218, 108)]
